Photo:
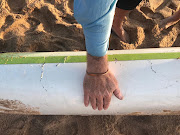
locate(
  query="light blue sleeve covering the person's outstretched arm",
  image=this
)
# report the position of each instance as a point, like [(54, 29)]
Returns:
[(96, 17)]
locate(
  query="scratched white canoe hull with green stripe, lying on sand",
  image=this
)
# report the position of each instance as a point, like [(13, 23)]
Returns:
[(51, 83)]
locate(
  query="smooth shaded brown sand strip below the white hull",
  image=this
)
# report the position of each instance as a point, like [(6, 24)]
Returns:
[(89, 125)]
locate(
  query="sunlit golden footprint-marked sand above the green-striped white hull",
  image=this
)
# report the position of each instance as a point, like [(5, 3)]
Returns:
[(49, 25)]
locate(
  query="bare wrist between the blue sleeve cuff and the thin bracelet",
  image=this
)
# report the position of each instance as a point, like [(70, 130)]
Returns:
[(97, 64)]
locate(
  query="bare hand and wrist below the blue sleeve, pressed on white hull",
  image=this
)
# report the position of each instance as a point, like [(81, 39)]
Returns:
[(99, 88)]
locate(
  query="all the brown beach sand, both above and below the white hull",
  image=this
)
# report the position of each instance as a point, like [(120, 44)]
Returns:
[(48, 25)]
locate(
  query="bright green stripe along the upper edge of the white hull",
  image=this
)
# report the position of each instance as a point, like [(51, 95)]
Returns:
[(15, 59)]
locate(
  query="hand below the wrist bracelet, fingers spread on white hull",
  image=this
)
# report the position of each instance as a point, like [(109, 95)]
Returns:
[(99, 89)]
